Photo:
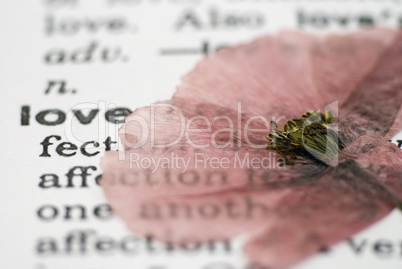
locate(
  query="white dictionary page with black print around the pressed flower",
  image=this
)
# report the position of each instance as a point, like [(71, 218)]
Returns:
[(73, 69)]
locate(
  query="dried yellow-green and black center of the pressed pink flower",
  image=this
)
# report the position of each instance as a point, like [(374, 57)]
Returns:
[(308, 137)]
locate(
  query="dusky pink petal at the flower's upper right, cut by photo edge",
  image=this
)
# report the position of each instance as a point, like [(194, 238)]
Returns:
[(374, 105)]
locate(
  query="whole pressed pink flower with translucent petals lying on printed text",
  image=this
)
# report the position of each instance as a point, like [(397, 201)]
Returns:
[(196, 169)]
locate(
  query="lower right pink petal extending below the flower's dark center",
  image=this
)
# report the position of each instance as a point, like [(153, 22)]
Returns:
[(362, 189)]
